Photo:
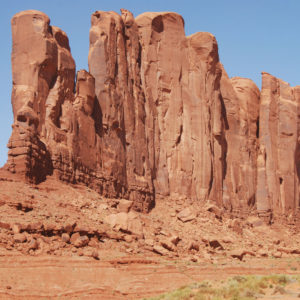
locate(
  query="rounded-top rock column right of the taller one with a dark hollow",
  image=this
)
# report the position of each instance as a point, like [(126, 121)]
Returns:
[(204, 118)]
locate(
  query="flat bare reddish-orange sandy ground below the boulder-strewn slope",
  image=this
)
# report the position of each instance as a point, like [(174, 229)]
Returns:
[(133, 277)]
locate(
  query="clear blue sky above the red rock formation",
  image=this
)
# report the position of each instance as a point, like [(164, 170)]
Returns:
[(253, 36)]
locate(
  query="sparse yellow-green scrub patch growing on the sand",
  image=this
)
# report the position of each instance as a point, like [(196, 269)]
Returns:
[(236, 288)]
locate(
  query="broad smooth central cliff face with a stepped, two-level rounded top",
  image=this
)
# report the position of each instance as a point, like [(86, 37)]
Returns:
[(183, 107)]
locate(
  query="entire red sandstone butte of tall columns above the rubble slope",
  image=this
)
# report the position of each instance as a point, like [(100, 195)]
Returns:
[(155, 116)]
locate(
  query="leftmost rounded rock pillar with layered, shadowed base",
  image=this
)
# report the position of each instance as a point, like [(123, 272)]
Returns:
[(34, 67)]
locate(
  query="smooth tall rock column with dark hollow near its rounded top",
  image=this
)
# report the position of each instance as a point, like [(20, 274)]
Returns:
[(162, 40)]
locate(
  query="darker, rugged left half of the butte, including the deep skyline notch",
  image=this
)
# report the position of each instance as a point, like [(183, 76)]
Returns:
[(72, 135)]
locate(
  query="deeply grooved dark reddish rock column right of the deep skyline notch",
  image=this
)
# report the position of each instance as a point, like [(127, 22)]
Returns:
[(114, 62)]
